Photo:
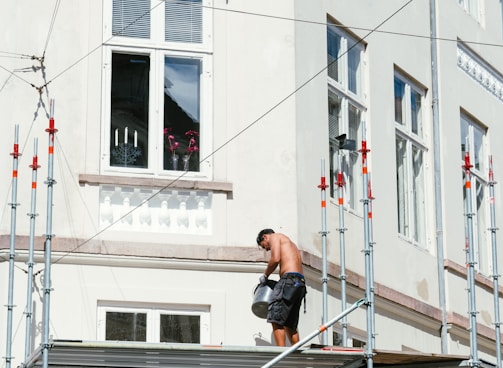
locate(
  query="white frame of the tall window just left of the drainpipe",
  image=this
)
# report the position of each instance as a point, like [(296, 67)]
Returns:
[(412, 222)]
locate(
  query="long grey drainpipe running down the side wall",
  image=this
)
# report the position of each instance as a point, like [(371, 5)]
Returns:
[(438, 179)]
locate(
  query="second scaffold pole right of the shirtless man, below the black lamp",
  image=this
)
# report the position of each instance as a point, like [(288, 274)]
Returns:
[(340, 184)]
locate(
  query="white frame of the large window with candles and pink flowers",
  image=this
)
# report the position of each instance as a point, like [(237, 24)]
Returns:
[(157, 49)]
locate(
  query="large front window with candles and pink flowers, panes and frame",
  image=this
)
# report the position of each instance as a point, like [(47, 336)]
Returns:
[(159, 61)]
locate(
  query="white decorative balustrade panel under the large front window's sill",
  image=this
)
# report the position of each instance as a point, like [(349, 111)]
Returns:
[(167, 211)]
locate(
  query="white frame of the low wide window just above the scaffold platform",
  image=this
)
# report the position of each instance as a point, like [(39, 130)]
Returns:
[(153, 313)]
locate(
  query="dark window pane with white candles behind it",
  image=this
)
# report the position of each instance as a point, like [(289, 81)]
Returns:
[(129, 110)]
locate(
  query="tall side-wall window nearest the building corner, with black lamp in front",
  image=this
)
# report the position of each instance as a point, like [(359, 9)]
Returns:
[(345, 111)]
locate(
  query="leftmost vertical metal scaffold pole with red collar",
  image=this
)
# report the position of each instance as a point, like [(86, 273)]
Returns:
[(12, 251)]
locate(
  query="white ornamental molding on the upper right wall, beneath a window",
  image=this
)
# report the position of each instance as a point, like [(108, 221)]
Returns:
[(480, 72)]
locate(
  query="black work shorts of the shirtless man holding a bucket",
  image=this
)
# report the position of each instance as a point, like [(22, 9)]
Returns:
[(286, 300)]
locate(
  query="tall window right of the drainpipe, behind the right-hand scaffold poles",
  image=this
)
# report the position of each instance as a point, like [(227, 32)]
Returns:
[(473, 140)]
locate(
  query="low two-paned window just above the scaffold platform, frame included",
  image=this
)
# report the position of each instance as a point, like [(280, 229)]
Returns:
[(190, 325)]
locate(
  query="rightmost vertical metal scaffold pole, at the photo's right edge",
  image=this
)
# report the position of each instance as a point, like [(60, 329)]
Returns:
[(495, 275)]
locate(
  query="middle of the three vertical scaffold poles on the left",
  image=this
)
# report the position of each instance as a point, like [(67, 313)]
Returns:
[(29, 289)]
